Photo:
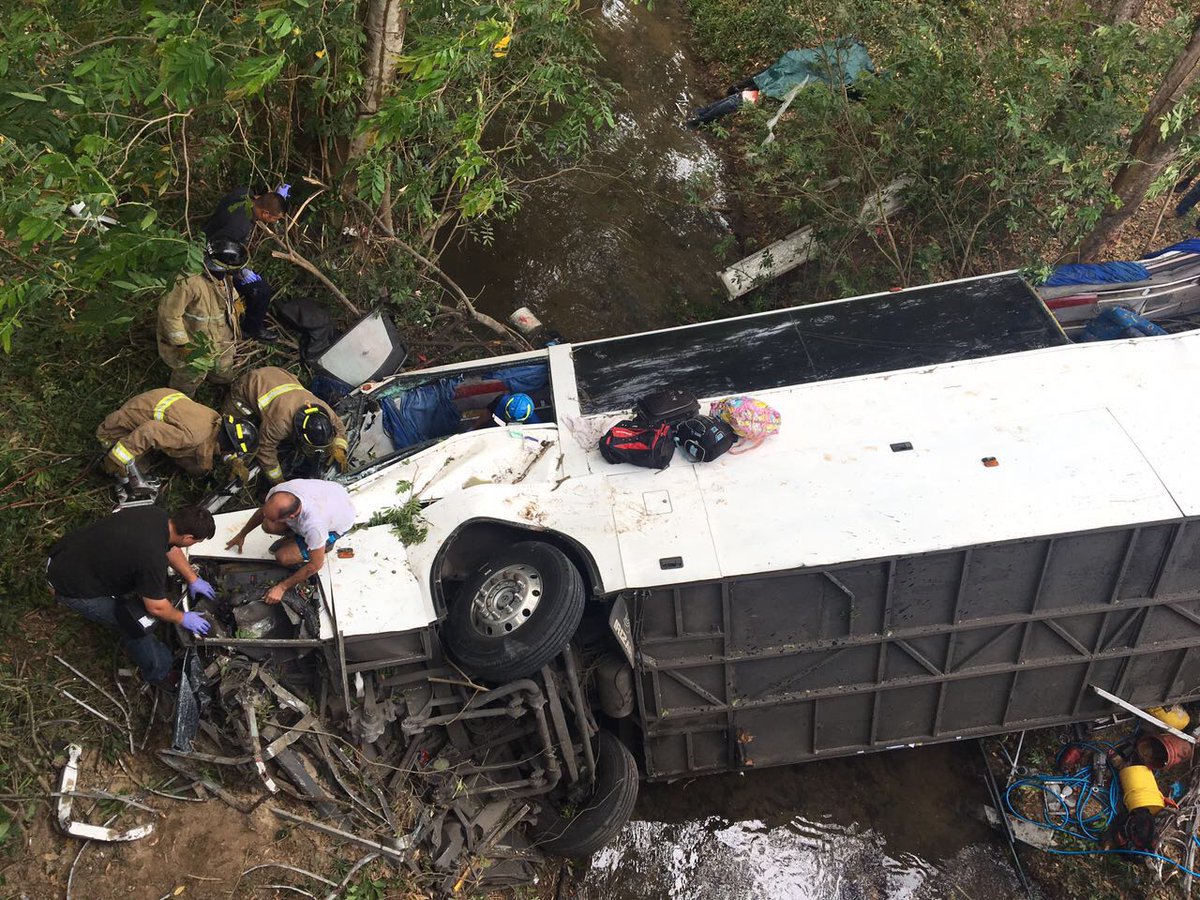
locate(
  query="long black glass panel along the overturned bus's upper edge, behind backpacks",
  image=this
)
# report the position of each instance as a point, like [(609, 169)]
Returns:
[(881, 333)]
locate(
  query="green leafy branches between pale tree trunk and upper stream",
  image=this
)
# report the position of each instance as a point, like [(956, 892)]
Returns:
[(463, 119)]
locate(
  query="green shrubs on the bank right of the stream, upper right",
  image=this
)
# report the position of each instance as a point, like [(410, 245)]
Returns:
[(1007, 119)]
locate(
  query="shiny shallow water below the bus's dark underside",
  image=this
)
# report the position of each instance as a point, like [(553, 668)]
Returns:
[(902, 825)]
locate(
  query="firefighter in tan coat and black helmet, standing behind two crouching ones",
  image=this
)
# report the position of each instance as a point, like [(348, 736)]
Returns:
[(202, 304)]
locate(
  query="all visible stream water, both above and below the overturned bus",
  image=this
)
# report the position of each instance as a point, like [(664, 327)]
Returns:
[(625, 247)]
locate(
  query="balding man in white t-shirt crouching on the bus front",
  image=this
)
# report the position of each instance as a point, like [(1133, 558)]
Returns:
[(315, 513)]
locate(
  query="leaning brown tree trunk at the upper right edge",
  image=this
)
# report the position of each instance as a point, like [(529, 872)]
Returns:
[(1149, 152)]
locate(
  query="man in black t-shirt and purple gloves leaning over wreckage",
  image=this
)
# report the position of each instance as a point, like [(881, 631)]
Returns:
[(115, 573)]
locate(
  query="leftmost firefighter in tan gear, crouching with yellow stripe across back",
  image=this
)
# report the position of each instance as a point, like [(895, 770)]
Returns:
[(165, 421)]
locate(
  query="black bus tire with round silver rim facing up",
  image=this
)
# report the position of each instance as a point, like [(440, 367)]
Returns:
[(500, 637)]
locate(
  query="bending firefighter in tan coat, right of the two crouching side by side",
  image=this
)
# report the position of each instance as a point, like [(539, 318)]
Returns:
[(287, 412)]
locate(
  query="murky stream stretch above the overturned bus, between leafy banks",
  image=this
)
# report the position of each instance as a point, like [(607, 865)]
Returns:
[(622, 244)]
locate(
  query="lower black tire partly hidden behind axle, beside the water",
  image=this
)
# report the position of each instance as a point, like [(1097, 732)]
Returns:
[(607, 812)]
